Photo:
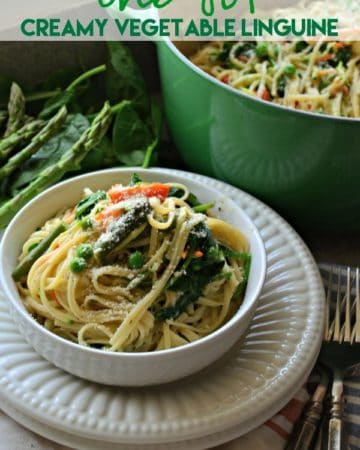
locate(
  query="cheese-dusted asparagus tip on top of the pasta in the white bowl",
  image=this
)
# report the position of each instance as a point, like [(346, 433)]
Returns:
[(106, 246)]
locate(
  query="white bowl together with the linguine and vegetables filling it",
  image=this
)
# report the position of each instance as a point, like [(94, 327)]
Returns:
[(143, 277)]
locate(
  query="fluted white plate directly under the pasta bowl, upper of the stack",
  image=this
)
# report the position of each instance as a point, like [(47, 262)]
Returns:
[(239, 392)]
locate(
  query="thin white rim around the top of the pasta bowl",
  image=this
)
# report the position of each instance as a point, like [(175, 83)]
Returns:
[(131, 357)]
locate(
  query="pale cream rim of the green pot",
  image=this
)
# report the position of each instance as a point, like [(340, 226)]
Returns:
[(184, 59)]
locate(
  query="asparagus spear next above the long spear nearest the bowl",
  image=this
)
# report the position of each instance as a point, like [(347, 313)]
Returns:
[(36, 143)]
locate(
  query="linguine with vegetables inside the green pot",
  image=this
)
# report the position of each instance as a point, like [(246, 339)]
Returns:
[(322, 76)]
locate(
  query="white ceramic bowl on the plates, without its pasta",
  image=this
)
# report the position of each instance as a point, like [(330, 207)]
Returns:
[(126, 369)]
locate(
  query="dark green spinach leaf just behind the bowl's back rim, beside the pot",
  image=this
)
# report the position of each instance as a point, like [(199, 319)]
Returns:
[(131, 136)]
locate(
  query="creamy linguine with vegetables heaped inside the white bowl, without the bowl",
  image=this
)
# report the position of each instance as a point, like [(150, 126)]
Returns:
[(137, 268)]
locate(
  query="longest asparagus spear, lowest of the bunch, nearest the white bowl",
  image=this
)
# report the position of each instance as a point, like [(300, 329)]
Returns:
[(89, 139)]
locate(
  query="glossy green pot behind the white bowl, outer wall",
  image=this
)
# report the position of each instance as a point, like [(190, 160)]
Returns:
[(305, 165)]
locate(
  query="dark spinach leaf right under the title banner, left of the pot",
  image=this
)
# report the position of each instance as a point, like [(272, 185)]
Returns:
[(124, 80)]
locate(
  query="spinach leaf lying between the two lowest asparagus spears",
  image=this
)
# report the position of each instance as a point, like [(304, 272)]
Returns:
[(51, 152)]
